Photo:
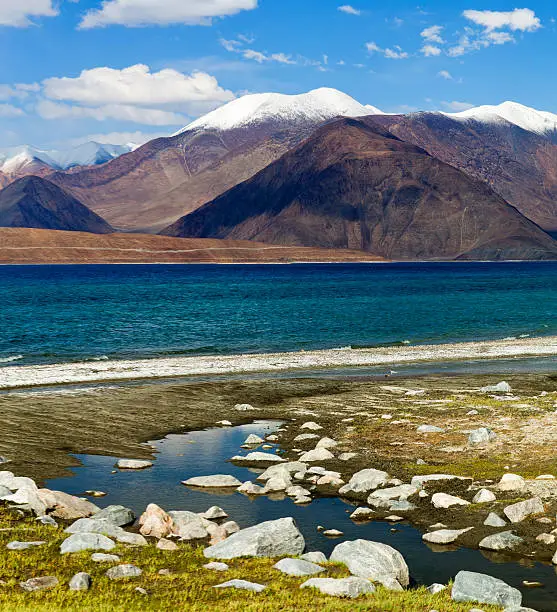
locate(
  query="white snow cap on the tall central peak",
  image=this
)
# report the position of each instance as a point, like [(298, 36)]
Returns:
[(315, 106)]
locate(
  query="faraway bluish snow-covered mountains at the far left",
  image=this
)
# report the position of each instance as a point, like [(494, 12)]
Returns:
[(26, 158)]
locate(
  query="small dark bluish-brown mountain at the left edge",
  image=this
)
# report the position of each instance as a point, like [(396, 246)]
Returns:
[(37, 203)]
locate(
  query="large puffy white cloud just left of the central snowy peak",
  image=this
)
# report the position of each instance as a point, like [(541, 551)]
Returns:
[(137, 85)]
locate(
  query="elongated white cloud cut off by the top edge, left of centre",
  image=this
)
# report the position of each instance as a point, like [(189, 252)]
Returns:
[(136, 13)]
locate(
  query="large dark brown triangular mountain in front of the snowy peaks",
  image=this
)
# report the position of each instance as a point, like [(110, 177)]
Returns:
[(352, 185)]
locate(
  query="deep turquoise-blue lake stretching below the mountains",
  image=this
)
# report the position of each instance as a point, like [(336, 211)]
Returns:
[(53, 314)]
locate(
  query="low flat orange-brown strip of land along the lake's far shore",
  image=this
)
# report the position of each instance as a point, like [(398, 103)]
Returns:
[(32, 246)]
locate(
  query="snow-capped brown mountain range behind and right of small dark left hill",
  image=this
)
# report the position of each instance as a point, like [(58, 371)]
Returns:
[(322, 170)]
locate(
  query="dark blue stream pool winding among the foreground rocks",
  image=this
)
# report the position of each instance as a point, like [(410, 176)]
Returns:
[(203, 453)]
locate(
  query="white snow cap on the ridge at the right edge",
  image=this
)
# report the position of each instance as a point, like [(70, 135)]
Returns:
[(530, 119)]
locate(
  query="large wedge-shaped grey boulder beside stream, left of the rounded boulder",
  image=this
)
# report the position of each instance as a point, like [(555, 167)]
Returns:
[(269, 539)]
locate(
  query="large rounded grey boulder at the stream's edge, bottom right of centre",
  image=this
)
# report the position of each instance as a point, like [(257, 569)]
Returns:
[(374, 561)]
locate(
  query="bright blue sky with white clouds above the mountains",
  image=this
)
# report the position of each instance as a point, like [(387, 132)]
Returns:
[(121, 71)]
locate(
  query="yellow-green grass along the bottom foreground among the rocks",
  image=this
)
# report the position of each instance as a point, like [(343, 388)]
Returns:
[(188, 587)]
